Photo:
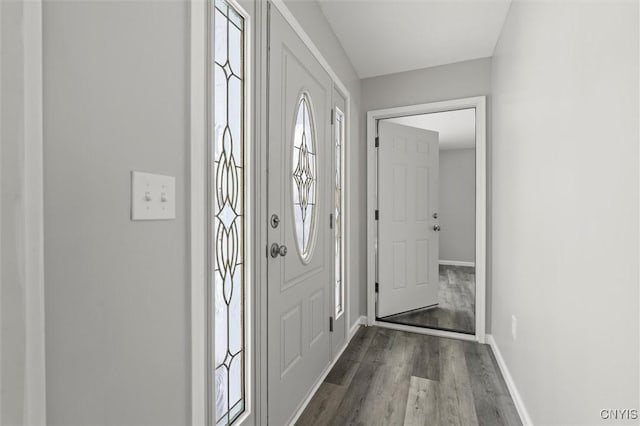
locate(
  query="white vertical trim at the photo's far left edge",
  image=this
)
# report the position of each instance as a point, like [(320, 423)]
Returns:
[(29, 244)]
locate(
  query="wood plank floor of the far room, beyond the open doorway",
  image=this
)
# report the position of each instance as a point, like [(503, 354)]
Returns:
[(456, 303)]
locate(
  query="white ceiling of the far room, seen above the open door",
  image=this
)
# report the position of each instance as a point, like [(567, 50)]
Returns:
[(456, 128)]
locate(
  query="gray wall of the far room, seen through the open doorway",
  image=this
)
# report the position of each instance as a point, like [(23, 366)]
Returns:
[(457, 196)]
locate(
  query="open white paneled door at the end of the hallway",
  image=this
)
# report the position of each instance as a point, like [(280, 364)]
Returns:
[(407, 224)]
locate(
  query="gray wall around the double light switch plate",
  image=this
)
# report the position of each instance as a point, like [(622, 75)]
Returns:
[(117, 309)]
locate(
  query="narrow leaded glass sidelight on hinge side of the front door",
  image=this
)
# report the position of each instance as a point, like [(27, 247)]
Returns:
[(339, 141)]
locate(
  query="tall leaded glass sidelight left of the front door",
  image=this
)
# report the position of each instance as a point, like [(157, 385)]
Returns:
[(228, 221)]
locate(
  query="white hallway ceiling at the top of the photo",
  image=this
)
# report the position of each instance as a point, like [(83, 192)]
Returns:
[(389, 36)]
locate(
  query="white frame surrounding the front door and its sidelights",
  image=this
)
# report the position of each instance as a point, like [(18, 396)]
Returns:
[(198, 199)]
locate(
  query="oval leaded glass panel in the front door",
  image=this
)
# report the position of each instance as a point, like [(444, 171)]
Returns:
[(304, 178)]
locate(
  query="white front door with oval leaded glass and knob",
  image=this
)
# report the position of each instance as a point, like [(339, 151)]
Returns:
[(300, 278)]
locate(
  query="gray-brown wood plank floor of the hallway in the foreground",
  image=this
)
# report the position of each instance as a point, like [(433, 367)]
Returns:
[(389, 377)]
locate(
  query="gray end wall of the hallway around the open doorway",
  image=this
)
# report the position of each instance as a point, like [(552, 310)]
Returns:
[(453, 81)]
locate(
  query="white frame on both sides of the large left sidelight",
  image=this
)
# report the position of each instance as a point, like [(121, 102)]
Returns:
[(202, 324)]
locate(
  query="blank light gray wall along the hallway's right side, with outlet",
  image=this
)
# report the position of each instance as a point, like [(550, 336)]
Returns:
[(565, 207)]
